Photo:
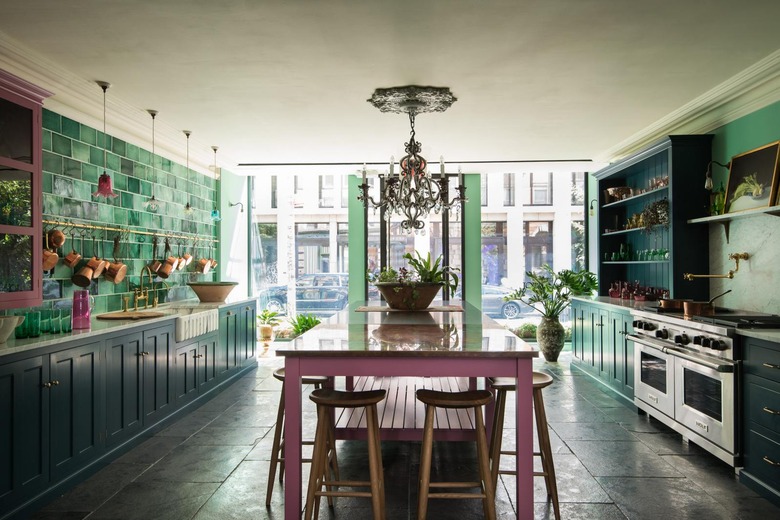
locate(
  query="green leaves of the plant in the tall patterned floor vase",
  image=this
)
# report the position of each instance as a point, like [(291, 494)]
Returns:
[(549, 292)]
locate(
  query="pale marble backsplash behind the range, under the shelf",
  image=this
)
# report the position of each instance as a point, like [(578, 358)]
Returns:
[(756, 287)]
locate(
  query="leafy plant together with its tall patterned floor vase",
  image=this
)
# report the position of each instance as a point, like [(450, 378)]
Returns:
[(549, 293)]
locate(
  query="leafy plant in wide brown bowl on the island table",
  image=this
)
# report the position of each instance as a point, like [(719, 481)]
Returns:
[(414, 287)]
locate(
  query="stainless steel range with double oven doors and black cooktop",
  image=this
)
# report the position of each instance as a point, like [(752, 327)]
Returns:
[(687, 372)]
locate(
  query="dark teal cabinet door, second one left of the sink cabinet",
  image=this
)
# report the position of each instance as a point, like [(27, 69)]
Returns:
[(124, 362)]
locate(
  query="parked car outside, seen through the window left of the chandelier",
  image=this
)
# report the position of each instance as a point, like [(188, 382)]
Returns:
[(320, 293)]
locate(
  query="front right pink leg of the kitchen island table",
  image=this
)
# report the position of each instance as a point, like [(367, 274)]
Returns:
[(524, 440)]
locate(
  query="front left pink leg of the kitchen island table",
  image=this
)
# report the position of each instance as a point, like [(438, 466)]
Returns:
[(292, 437)]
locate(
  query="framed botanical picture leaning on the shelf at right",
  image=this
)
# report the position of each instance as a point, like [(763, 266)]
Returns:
[(753, 179)]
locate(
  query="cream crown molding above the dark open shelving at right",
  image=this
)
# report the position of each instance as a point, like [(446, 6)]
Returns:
[(754, 88)]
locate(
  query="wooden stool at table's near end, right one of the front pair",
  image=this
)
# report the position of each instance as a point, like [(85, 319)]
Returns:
[(475, 399)]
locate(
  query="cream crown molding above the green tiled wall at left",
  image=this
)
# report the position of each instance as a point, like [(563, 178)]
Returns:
[(82, 100)]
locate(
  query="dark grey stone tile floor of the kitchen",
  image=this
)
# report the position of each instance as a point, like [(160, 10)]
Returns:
[(611, 464)]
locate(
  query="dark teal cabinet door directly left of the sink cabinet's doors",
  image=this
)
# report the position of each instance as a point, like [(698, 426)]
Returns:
[(158, 396)]
